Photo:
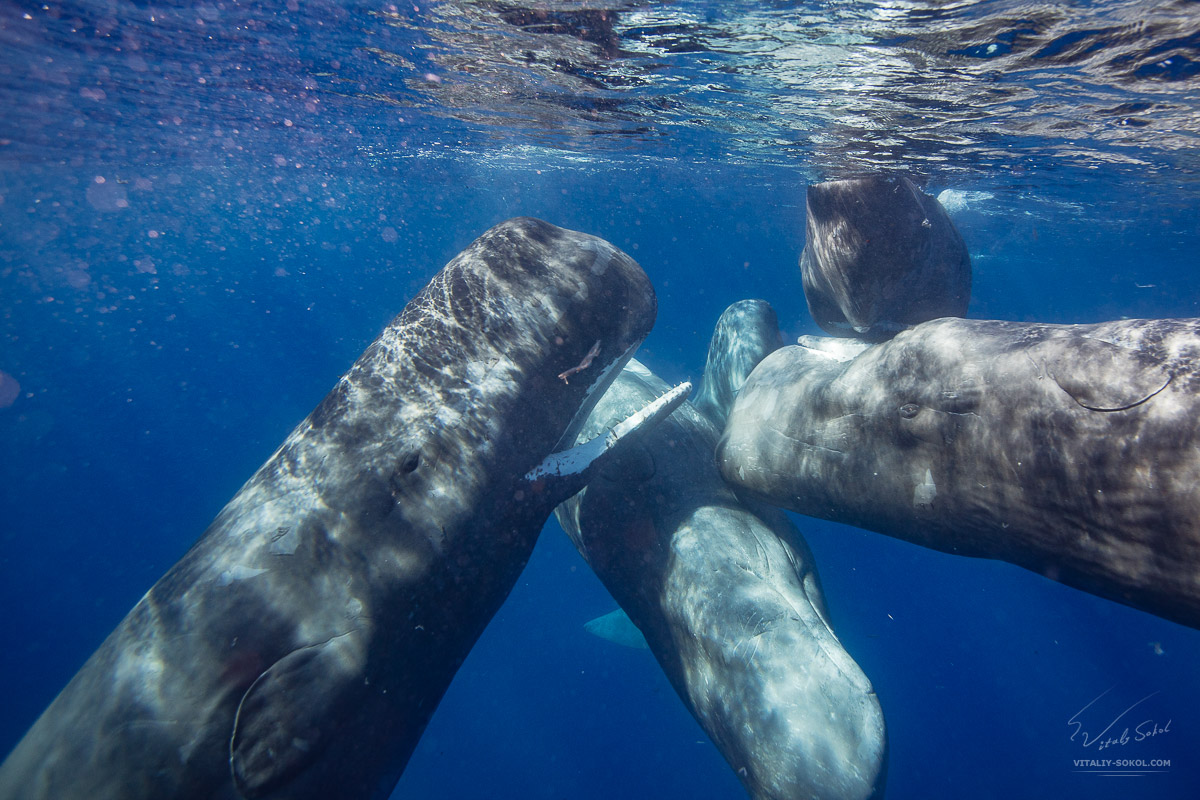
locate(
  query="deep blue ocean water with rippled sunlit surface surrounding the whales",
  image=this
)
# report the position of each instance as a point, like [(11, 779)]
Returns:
[(209, 209)]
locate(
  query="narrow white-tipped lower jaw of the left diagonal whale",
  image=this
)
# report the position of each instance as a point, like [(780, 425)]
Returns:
[(568, 472)]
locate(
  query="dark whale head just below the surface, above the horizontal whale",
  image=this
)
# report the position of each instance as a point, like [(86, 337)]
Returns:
[(881, 255)]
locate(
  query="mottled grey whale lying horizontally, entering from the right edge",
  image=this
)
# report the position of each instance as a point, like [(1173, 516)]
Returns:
[(1070, 450)]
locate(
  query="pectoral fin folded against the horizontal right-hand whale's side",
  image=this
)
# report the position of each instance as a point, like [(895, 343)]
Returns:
[(1101, 376)]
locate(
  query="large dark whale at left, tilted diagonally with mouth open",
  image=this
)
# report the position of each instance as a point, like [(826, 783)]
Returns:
[(301, 647)]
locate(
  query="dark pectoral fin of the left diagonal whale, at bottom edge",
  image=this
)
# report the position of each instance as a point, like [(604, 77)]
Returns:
[(283, 723)]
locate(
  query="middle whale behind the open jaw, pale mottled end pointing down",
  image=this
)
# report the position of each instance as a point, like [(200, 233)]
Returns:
[(727, 594)]
